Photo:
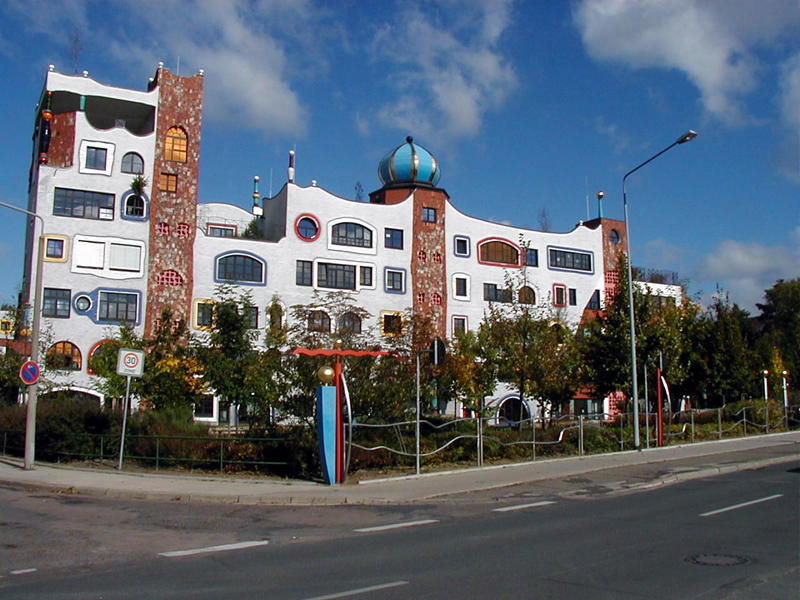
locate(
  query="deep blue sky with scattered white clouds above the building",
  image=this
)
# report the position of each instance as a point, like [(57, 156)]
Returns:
[(528, 106)]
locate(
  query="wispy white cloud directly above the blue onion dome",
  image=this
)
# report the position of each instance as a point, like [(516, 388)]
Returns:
[(450, 73)]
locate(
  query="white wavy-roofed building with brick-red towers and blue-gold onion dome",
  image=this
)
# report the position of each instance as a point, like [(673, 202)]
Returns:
[(114, 178)]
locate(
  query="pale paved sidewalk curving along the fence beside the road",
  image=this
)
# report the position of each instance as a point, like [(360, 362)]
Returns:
[(666, 465)]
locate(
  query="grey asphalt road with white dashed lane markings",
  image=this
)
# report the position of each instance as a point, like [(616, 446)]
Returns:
[(729, 536)]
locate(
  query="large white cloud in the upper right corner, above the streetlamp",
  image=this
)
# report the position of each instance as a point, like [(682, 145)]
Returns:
[(713, 43)]
